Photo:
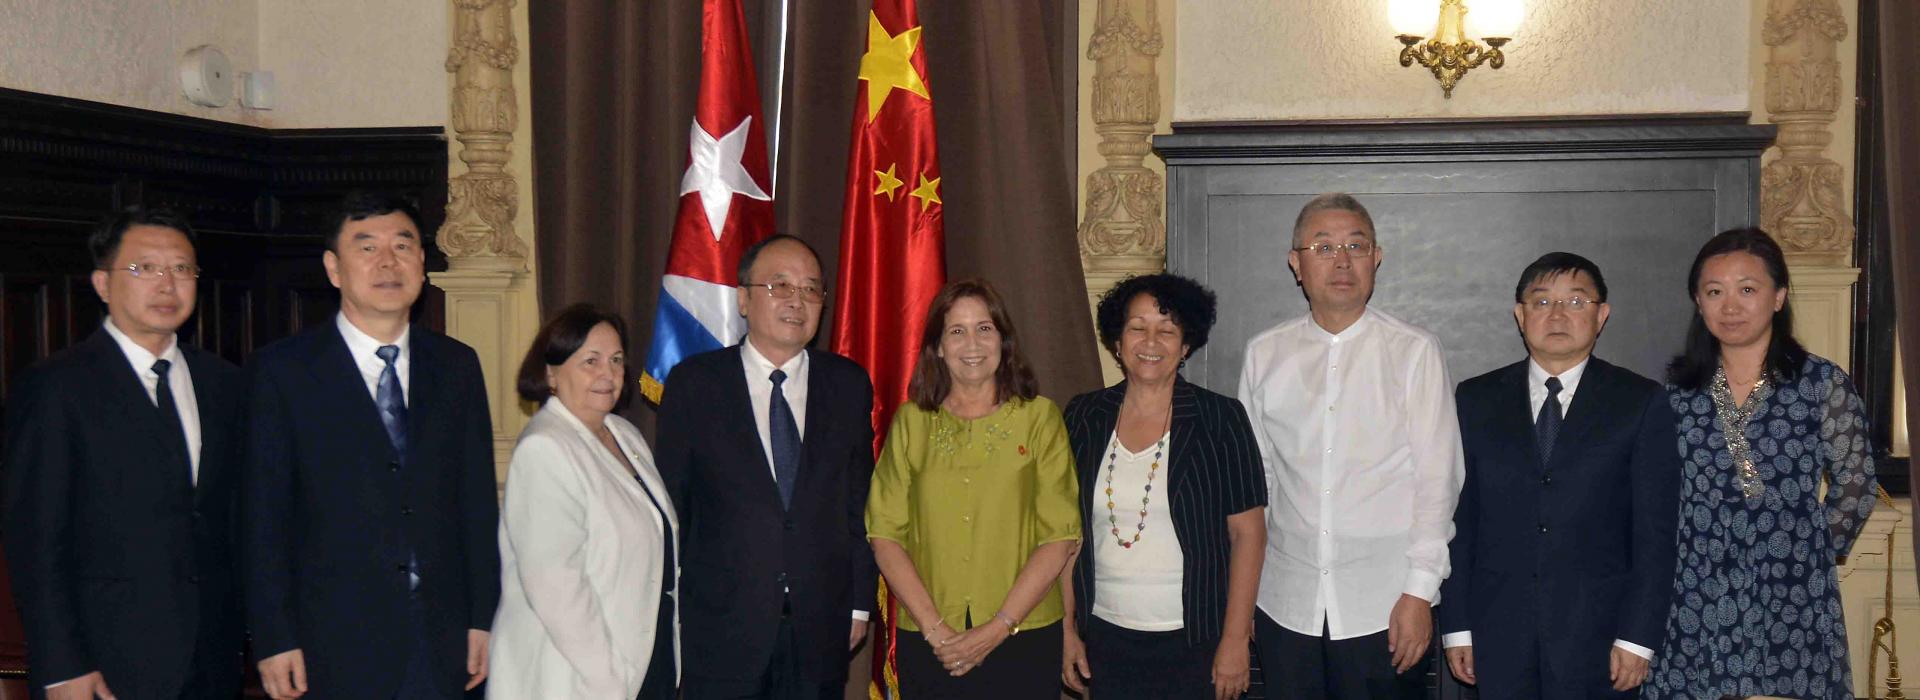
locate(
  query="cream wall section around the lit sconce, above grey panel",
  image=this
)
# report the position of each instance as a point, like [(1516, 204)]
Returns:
[(1247, 60)]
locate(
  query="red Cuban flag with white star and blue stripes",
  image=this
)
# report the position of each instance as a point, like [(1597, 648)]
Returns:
[(725, 204)]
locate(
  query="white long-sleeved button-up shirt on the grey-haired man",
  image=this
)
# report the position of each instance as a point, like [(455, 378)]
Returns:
[(1364, 467)]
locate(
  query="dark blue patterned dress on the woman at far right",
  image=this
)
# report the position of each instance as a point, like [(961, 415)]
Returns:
[(1756, 599)]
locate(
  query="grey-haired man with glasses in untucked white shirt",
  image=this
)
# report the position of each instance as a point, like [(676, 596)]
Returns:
[(1356, 427)]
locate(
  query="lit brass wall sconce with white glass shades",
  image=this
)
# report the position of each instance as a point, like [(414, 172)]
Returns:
[(1449, 53)]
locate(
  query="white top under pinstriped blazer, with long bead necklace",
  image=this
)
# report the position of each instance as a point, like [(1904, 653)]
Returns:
[(1140, 586)]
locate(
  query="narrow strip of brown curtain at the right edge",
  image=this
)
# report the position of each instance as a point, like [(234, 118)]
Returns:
[(1900, 118)]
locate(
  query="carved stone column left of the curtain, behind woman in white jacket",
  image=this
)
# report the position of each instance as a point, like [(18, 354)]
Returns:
[(487, 262)]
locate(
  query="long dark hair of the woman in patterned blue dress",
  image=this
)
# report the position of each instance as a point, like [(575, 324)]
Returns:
[(1696, 363)]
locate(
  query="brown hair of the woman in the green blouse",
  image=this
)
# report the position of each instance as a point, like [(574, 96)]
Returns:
[(932, 383)]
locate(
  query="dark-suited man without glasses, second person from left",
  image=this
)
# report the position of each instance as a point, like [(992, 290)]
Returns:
[(370, 511)]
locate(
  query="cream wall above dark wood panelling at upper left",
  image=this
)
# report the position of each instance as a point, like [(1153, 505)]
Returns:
[(337, 62)]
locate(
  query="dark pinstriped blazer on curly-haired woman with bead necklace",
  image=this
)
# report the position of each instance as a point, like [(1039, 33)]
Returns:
[(1214, 473)]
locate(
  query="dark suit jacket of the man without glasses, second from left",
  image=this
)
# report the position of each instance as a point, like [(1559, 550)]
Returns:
[(329, 513)]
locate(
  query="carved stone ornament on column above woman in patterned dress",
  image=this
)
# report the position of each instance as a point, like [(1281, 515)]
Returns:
[(1802, 191)]
